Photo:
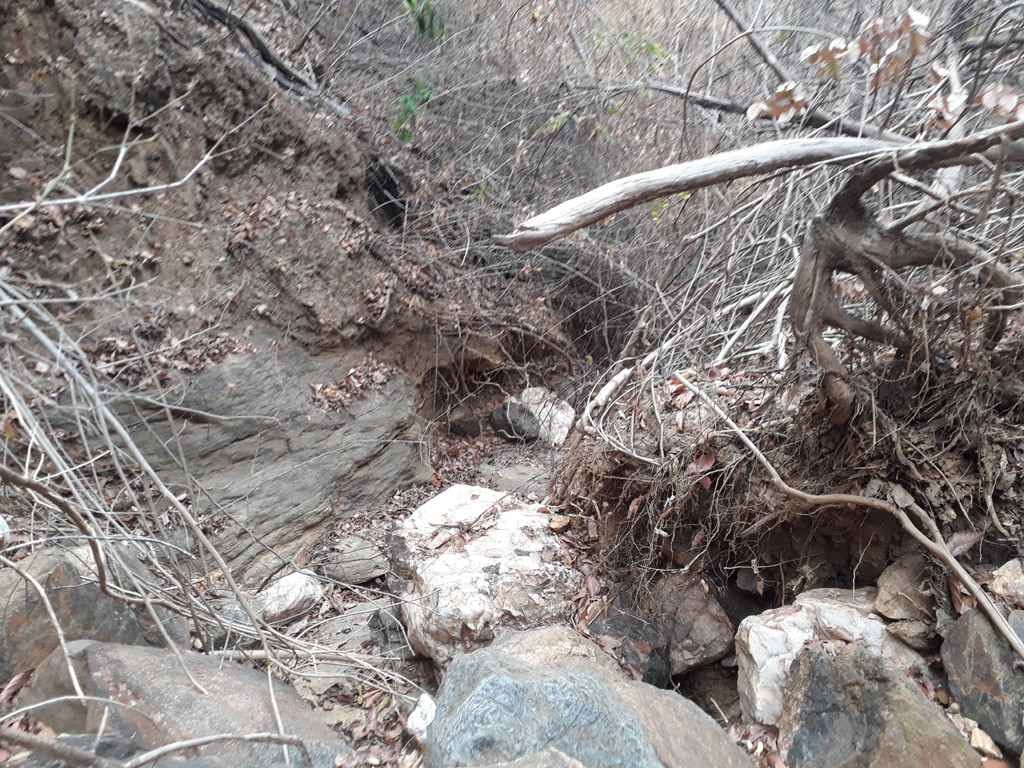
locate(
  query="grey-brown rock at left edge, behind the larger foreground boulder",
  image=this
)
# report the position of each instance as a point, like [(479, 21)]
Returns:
[(27, 634)]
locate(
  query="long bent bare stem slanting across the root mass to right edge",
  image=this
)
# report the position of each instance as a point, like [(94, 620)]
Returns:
[(932, 541)]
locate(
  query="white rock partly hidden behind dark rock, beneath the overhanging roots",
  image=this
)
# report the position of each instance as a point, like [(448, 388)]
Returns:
[(769, 644)]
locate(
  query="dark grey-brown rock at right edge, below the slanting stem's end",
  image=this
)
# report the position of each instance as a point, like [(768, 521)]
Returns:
[(985, 677)]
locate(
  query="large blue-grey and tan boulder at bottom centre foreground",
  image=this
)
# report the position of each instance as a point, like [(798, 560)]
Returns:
[(495, 708)]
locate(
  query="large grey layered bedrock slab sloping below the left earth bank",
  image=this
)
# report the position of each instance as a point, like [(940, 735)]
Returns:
[(279, 467)]
